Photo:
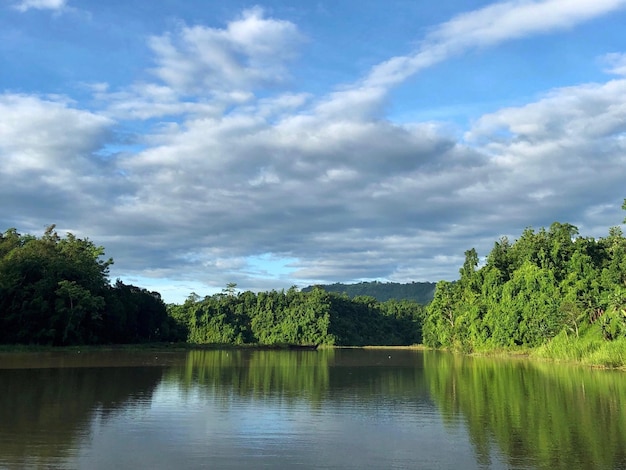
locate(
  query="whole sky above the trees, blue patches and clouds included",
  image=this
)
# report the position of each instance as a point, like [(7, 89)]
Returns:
[(286, 143)]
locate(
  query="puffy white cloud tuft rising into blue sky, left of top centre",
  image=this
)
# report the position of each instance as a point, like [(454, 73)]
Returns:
[(251, 51)]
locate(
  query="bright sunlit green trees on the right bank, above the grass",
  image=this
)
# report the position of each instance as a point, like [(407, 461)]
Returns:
[(546, 283)]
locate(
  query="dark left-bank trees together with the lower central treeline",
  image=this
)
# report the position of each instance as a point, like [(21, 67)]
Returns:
[(55, 291)]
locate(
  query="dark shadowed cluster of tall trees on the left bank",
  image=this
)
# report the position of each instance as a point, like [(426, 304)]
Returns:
[(55, 290)]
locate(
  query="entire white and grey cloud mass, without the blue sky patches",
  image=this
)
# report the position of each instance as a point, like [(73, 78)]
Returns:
[(224, 180)]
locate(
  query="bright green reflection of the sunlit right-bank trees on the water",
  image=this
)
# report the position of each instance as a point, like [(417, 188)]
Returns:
[(540, 415)]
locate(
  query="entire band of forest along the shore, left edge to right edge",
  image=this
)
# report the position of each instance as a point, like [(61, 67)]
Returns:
[(551, 291)]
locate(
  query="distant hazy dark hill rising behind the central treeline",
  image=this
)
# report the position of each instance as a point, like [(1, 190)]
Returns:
[(420, 292)]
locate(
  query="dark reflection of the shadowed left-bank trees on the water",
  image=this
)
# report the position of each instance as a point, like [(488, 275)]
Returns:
[(44, 412)]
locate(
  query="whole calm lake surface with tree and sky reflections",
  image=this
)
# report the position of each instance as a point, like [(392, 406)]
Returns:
[(340, 409)]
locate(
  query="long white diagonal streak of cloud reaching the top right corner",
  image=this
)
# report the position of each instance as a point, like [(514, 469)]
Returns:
[(488, 26)]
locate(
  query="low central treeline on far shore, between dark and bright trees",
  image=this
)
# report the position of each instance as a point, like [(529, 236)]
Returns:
[(298, 318)]
